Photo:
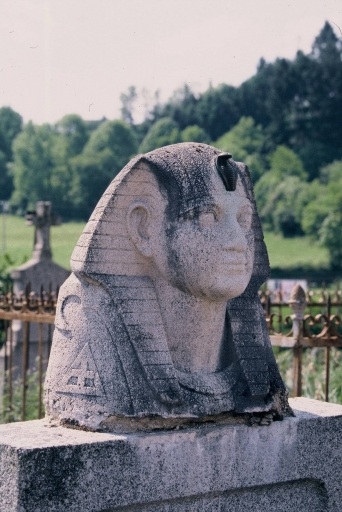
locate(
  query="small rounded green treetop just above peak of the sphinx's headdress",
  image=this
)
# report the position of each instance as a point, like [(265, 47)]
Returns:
[(162, 133)]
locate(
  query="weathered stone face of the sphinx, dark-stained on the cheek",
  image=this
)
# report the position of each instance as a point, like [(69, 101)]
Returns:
[(209, 253)]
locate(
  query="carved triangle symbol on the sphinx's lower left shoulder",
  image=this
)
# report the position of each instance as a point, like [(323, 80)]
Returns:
[(82, 376)]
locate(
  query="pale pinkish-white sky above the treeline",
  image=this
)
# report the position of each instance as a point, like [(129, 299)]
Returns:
[(59, 57)]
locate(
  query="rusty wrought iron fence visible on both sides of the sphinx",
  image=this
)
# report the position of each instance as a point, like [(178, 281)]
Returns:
[(304, 322)]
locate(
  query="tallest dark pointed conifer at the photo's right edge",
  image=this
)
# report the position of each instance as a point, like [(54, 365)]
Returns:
[(317, 105)]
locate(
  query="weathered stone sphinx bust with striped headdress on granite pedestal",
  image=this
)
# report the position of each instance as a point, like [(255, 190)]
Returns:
[(160, 320)]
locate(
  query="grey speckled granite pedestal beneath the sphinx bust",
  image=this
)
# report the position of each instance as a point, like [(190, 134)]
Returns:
[(290, 465)]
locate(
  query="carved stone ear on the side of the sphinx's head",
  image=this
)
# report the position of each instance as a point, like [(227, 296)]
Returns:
[(139, 227)]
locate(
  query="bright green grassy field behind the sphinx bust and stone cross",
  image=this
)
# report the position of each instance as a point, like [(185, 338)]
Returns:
[(16, 239)]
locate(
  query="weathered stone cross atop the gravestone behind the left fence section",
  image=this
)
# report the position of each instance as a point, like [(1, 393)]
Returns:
[(42, 219)]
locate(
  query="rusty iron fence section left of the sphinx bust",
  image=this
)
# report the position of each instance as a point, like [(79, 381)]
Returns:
[(26, 325)]
